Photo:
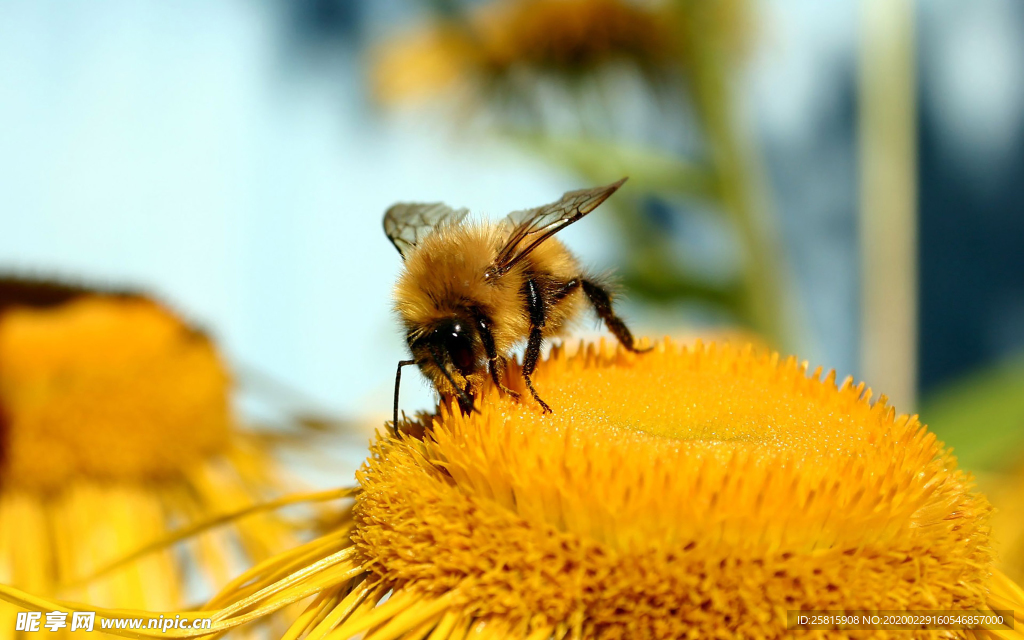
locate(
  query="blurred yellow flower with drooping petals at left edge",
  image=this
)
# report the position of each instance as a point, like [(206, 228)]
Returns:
[(117, 430)]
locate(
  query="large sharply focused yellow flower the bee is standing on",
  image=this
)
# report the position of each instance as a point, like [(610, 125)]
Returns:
[(682, 493)]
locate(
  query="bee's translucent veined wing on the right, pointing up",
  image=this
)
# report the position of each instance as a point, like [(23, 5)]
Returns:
[(532, 227)]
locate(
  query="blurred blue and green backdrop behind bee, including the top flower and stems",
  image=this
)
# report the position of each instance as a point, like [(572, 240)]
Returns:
[(842, 181)]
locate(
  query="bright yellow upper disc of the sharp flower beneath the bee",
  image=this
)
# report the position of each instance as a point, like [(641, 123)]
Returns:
[(716, 444)]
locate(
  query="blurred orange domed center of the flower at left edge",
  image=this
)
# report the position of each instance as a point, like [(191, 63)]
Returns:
[(108, 388)]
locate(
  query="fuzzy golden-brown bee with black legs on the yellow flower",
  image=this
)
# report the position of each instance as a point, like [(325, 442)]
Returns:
[(470, 292)]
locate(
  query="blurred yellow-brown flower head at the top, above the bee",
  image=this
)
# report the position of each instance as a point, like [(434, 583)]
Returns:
[(510, 37)]
